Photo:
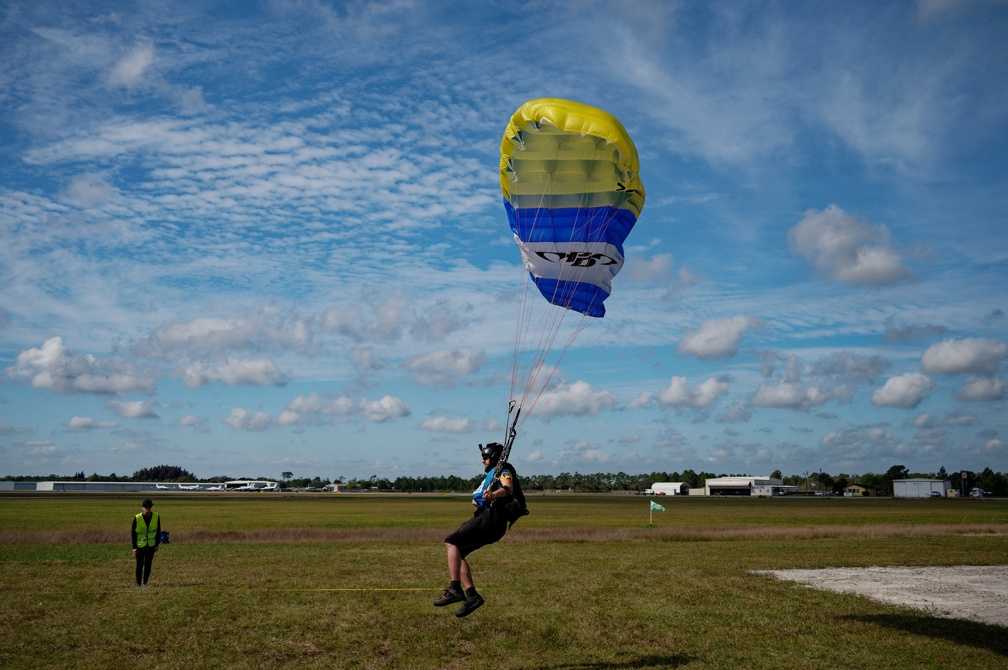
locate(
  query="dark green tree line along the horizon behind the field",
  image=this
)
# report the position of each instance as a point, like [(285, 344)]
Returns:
[(996, 484)]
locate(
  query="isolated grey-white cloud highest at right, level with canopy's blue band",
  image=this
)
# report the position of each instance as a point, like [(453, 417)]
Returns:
[(844, 248)]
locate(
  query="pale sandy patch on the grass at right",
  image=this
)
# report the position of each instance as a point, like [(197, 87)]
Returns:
[(977, 593)]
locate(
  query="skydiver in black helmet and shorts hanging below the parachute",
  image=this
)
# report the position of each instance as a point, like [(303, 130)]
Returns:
[(499, 503)]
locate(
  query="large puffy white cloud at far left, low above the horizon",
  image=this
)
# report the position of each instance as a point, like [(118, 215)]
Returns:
[(56, 368)]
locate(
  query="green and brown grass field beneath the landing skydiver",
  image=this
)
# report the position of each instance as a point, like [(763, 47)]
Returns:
[(347, 582)]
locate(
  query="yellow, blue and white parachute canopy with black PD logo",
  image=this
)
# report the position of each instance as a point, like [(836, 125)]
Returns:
[(570, 176)]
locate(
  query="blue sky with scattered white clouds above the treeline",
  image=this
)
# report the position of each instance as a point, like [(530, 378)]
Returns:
[(249, 238)]
